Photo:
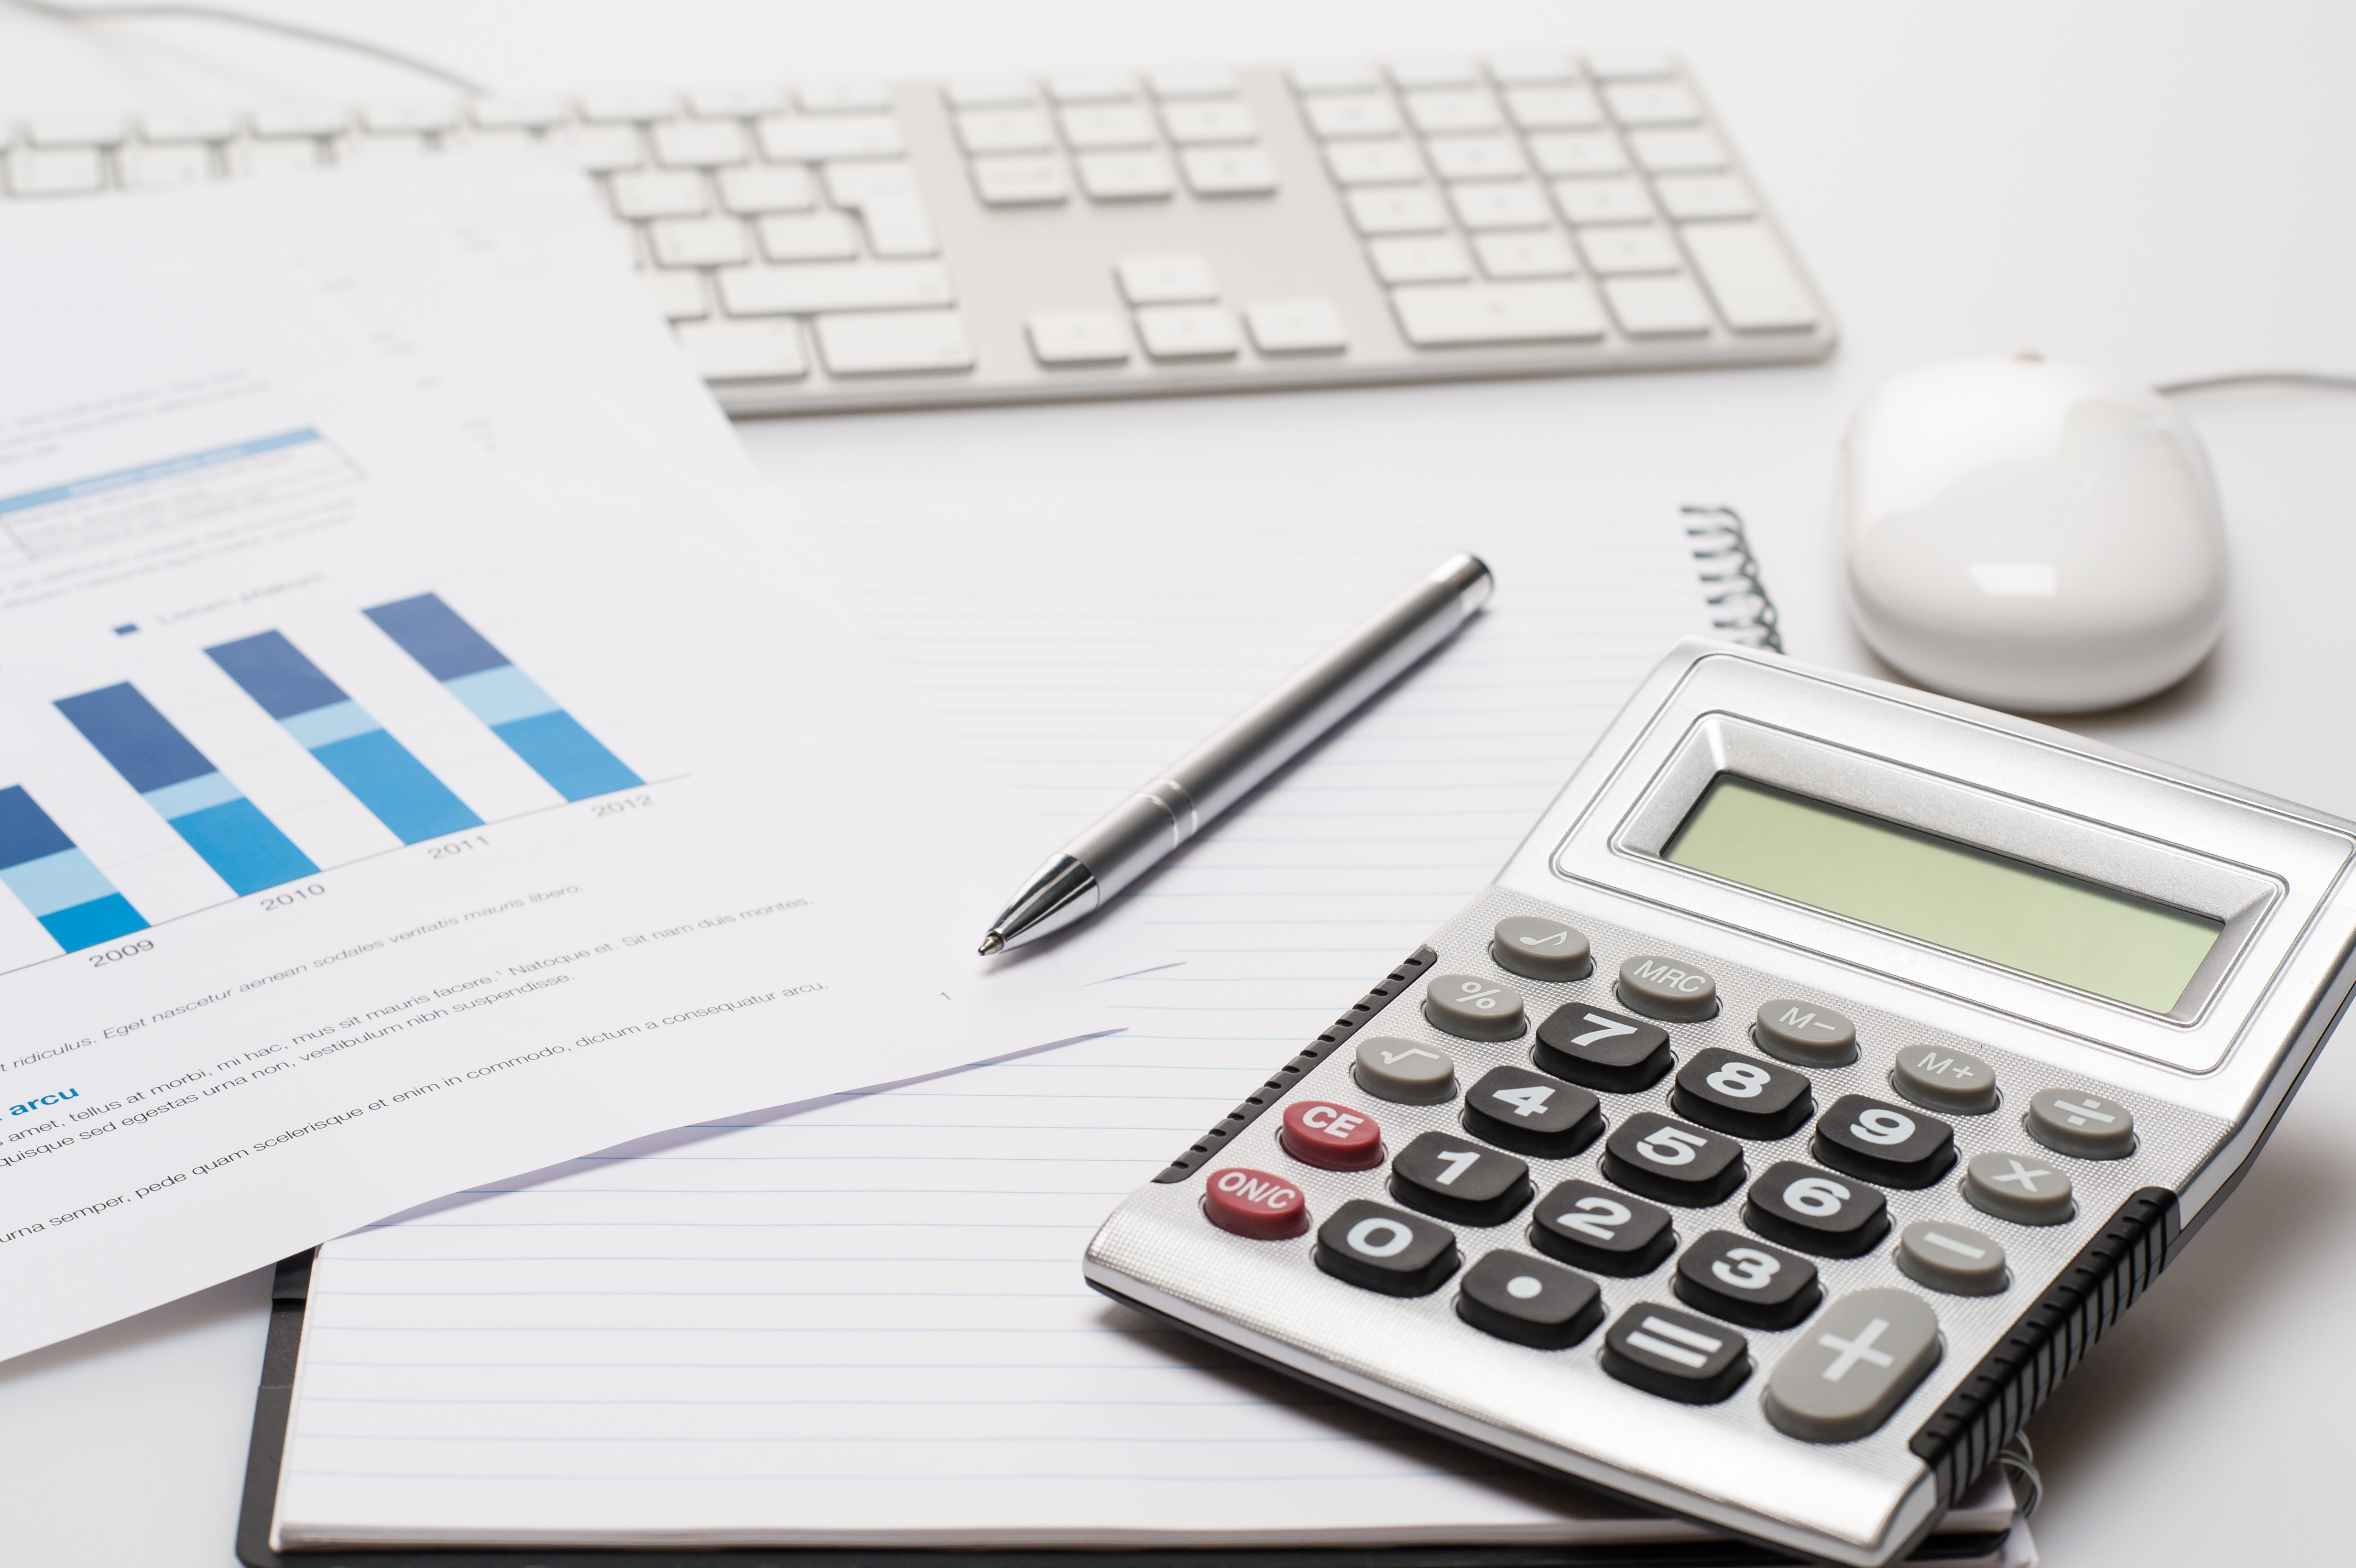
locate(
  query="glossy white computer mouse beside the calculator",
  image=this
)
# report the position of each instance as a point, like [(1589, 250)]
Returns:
[(2032, 536)]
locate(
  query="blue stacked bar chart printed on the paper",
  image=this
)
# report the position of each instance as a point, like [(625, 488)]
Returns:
[(70, 856)]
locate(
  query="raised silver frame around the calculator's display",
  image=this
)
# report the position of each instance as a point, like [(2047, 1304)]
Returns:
[(2030, 795)]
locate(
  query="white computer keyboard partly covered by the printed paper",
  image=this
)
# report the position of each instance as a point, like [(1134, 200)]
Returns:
[(838, 246)]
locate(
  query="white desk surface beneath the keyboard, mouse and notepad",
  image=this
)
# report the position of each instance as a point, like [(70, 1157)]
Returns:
[(2157, 187)]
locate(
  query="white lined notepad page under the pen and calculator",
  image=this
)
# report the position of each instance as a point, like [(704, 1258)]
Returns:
[(863, 1322)]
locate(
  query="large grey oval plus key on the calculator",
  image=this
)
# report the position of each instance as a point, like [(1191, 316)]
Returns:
[(1855, 1367)]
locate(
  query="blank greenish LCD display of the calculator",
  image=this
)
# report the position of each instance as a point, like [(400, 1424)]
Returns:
[(1947, 893)]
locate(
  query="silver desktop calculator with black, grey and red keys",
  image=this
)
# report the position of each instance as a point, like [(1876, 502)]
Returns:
[(1822, 1077)]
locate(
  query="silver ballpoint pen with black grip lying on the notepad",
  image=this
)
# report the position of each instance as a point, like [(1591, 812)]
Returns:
[(1259, 740)]
